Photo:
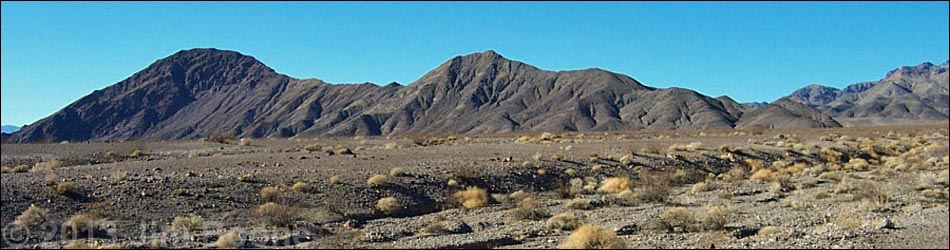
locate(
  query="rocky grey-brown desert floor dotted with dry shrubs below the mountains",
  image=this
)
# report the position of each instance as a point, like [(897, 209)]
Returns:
[(868, 187)]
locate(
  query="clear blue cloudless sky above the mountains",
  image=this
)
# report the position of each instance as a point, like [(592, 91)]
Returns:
[(56, 52)]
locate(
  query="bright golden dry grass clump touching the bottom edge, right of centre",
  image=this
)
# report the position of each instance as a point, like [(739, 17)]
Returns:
[(589, 236)]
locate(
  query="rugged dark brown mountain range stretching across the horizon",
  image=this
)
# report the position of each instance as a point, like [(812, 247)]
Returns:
[(202, 92)]
